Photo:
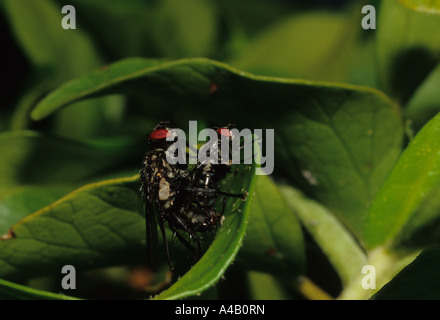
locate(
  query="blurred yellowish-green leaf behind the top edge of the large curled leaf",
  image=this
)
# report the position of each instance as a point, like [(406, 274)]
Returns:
[(297, 47)]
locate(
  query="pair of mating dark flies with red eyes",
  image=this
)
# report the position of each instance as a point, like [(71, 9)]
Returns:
[(183, 196)]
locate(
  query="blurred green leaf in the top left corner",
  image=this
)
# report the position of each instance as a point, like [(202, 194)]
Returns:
[(68, 52)]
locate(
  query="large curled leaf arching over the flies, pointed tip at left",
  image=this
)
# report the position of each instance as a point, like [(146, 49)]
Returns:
[(338, 141)]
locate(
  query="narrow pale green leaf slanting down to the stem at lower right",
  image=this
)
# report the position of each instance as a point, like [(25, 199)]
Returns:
[(339, 246)]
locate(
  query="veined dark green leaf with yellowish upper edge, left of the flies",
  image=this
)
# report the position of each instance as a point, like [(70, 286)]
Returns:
[(96, 225)]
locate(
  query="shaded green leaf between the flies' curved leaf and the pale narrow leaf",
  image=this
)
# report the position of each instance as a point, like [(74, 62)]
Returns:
[(274, 239)]
